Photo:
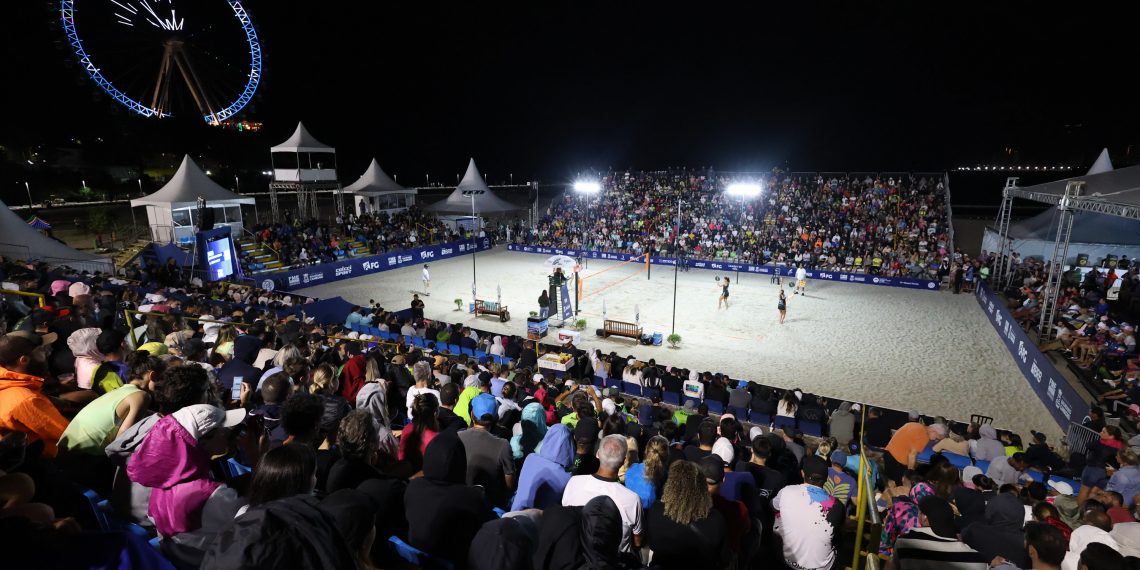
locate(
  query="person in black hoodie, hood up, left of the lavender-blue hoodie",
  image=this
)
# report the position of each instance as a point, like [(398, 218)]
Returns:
[(444, 512)]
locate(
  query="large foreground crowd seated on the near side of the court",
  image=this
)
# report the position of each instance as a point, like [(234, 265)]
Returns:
[(251, 441)]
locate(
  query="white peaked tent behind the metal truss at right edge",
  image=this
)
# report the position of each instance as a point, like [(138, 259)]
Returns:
[(1095, 235)]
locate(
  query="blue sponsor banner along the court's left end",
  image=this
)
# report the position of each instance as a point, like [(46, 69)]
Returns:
[(357, 267)]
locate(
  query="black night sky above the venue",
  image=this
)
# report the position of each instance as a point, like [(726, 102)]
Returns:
[(549, 89)]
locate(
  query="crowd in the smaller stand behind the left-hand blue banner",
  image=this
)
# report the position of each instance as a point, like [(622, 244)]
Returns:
[(303, 243)]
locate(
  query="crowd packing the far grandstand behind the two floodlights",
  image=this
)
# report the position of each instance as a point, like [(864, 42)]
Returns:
[(881, 225)]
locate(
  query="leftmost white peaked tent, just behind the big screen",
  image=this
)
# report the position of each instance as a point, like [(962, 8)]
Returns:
[(173, 211)]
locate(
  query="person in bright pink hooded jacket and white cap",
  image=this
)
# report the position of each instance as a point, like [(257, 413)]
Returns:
[(188, 506)]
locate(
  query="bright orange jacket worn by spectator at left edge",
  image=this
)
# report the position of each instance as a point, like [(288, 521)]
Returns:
[(25, 409)]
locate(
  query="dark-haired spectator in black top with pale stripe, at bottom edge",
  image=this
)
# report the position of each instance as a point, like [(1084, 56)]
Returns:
[(934, 543)]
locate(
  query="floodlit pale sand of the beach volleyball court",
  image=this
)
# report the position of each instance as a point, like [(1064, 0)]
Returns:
[(905, 349)]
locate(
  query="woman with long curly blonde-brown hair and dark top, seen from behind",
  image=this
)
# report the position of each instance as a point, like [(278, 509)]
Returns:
[(683, 530)]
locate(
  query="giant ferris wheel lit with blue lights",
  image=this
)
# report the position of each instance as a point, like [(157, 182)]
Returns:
[(164, 58)]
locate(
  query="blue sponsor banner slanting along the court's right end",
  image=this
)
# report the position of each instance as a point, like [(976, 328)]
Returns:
[(1062, 400)]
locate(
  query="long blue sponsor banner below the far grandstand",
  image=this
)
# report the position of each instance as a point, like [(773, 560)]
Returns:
[(745, 268)]
